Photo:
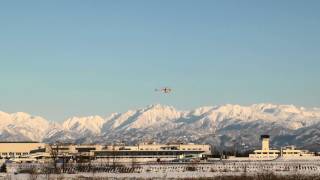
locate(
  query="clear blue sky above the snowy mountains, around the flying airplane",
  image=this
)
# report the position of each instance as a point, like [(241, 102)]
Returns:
[(74, 58)]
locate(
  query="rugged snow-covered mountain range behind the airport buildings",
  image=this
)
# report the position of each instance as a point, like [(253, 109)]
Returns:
[(226, 126)]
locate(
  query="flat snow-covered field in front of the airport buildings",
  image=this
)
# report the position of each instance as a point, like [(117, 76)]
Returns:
[(189, 170)]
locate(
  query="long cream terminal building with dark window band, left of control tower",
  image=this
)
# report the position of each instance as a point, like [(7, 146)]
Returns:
[(122, 153)]
